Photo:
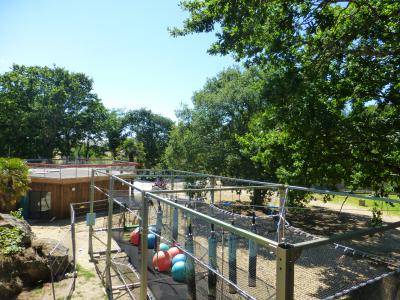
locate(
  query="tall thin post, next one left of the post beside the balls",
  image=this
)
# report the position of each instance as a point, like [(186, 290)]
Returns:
[(109, 233)]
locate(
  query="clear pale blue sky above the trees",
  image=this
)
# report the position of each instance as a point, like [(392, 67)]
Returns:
[(123, 45)]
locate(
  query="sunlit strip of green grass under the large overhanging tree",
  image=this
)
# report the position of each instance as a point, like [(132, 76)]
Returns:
[(352, 202)]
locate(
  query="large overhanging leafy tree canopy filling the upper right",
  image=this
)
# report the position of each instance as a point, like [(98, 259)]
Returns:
[(331, 86)]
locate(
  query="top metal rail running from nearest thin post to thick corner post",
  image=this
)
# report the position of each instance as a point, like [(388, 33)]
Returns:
[(238, 231)]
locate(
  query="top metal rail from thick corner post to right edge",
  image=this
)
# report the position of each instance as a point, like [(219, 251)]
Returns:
[(345, 236)]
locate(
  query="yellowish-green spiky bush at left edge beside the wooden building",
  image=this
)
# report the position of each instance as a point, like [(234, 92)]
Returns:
[(14, 182)]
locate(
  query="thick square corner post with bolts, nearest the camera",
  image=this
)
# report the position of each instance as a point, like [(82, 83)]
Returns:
[(285, 259)]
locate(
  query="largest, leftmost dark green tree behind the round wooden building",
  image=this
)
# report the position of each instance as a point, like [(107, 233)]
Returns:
[(44, 110)]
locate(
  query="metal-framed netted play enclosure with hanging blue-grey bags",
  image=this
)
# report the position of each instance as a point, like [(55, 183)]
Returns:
[(228, 255)]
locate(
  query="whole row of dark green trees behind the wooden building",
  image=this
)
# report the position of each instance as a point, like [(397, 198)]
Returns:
[(49, 111)]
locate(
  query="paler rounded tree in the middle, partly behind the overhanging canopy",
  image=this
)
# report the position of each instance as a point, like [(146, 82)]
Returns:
[(206, 136)]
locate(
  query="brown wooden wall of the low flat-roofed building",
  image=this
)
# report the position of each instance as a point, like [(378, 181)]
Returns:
[(67, 191)]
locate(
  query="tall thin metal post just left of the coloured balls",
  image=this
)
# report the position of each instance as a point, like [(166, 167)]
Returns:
[(143, 246)]
